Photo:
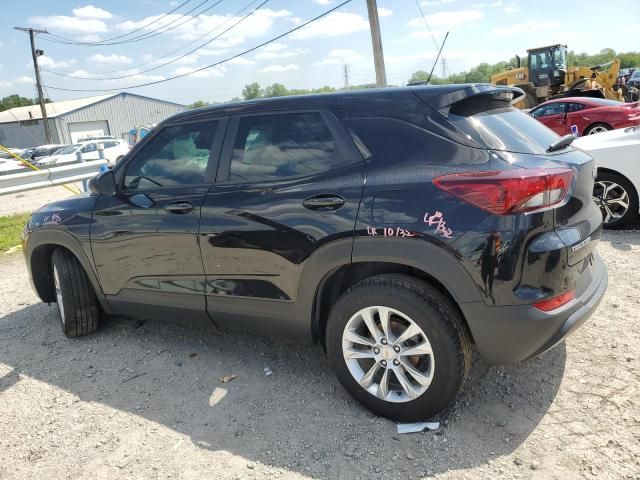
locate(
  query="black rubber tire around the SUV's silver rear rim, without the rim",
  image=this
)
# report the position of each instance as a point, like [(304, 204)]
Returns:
[(437, 318)]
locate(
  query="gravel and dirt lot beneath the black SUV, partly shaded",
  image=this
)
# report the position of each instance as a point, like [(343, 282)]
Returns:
[(142, 399)]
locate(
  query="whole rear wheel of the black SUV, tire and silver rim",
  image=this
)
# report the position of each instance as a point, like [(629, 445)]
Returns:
[(397, 346)]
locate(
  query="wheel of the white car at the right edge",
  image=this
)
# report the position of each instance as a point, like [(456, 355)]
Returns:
[(617, 199)]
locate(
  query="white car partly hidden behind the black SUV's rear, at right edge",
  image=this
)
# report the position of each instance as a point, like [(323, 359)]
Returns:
[(616, 154)]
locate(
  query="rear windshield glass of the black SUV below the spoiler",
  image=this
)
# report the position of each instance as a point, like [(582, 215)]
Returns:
[(506, 129)]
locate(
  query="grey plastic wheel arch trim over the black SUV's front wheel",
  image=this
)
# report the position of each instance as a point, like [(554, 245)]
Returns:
[(40, 248)]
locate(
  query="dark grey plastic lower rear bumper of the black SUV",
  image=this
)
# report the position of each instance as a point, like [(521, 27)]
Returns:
[(511, 334)]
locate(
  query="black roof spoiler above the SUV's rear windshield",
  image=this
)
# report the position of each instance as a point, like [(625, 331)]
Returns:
[(467, 93)]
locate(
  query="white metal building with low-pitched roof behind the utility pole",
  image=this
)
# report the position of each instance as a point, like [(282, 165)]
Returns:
[(114, 114)]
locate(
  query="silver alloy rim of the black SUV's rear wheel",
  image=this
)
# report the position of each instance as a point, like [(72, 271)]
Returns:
[(388, 354)]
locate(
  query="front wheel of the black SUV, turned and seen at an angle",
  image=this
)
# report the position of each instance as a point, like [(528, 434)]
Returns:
[(77, 302)]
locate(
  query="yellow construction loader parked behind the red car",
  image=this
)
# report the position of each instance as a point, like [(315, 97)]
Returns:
[(546, 76)]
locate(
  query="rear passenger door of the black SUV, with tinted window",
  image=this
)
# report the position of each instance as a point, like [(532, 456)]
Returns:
[(289, 183)]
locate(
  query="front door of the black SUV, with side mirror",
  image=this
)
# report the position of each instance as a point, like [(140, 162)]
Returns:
[(144, 237)]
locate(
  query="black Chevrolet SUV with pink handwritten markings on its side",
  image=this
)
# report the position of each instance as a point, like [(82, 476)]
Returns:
[(398, 228)]
